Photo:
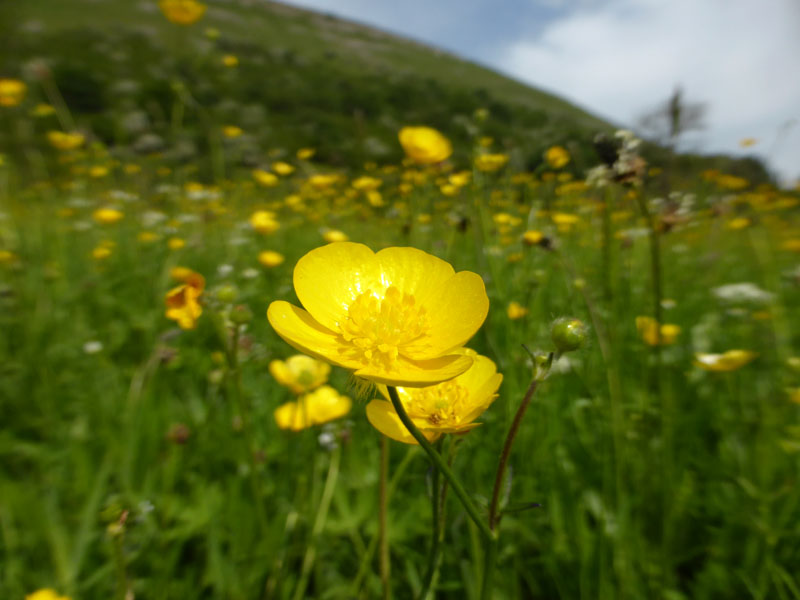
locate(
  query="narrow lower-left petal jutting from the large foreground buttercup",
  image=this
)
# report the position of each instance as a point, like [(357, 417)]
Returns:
[(301, 331)]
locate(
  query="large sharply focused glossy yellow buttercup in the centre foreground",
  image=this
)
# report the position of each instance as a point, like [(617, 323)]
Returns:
[(392, 317)]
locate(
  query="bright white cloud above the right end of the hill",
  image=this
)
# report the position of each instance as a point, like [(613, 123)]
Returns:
[(619, 58)]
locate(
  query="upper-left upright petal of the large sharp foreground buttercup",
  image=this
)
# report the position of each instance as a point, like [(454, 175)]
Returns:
[(329, 278)]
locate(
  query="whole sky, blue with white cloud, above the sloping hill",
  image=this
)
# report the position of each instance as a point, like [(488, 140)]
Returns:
[(620, 59)]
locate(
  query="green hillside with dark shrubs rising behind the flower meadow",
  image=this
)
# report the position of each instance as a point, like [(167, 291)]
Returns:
[(141, 84)]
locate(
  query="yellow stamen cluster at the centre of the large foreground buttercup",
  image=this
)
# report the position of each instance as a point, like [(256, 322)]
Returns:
[(377, 328)]
